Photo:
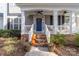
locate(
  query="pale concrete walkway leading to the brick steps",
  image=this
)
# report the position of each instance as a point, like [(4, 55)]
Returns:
[(40, 51)]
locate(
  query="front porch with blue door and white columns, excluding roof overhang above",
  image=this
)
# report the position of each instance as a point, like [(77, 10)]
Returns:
[(48, 22)]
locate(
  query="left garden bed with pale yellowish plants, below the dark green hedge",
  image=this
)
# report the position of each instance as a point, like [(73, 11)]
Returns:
[(13, 47)]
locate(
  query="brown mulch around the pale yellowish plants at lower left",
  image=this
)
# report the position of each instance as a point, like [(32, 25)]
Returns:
[(18, 52)]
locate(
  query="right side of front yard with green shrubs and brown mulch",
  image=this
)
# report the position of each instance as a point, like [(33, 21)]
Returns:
[(64, 45)]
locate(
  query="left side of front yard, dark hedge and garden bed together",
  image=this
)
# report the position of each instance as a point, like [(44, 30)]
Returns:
[(11, 43)]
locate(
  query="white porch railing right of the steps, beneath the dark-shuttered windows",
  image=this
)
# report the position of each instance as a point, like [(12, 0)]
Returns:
[(62, 29)]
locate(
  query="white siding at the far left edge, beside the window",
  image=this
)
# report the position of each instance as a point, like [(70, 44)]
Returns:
[(3, 9)]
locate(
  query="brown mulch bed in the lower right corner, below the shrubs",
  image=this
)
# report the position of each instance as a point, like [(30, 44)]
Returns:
[(69, 50)]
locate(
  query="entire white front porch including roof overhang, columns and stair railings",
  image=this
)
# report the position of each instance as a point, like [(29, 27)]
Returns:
[(48, 19)]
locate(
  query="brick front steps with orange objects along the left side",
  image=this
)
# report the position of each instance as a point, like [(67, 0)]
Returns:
[(39, 40)]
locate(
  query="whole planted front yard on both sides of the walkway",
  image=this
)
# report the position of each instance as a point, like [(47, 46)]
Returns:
[(12, 45)]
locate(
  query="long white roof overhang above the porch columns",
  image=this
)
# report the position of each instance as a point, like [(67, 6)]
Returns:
[(48, 6)]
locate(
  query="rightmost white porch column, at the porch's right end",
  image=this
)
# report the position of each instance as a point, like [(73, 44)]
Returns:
[(73, 22)]
